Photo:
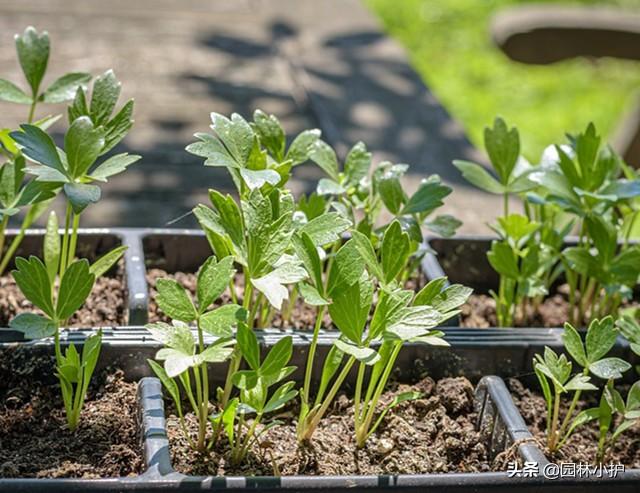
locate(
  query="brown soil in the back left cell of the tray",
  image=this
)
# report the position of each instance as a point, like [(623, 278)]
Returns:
[(105, 306)]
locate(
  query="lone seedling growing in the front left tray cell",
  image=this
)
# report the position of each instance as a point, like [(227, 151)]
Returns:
[(38, 281)]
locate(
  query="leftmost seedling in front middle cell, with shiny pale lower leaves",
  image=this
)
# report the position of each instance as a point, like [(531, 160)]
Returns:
[(185, 357)]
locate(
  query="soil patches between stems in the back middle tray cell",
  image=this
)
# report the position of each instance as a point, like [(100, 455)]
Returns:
[(301, 317)]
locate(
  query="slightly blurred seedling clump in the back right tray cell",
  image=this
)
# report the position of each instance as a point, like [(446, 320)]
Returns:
[(580, 187)]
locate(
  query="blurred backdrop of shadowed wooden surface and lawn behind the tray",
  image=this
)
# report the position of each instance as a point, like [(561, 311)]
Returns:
[(416, 80)]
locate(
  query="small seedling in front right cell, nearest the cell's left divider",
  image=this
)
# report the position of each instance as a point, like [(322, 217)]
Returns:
[(555, 375)]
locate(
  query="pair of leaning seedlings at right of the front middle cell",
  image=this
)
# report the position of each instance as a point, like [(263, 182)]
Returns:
[(400, 316)]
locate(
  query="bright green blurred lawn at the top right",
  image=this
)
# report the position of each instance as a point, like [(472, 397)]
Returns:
[(449, 44)]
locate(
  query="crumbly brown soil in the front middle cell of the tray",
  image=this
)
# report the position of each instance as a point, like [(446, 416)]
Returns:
[(433, 434)]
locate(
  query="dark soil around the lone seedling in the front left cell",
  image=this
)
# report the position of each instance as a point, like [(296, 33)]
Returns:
[(34, 439)]
